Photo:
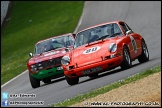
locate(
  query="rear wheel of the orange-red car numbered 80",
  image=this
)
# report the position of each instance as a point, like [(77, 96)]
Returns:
[(145, 54)]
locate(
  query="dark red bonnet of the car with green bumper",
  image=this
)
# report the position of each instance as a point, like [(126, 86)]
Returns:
[(48, 55)]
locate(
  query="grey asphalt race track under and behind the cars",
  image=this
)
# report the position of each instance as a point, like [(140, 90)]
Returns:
[(144, 17)]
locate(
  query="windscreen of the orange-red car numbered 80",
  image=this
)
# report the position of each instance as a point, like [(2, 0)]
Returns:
[(97, 33)]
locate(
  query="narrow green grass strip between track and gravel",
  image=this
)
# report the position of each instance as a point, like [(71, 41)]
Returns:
[(107, 88)]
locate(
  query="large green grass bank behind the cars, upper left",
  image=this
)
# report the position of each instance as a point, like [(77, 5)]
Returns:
[(18, 37)]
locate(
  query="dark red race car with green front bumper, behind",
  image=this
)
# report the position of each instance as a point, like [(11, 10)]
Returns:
[(45, 64)]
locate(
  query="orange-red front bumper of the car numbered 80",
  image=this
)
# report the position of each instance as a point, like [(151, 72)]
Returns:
[(105, 64)]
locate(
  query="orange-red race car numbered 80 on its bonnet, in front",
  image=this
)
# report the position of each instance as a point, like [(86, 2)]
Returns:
[(102, 47)]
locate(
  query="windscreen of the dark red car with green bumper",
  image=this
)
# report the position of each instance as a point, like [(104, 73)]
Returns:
[(53, 43)]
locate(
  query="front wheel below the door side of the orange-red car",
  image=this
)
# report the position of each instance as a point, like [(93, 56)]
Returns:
[(127, 63)]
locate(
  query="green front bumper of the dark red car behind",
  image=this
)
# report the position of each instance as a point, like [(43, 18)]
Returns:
[(47, 73)]
